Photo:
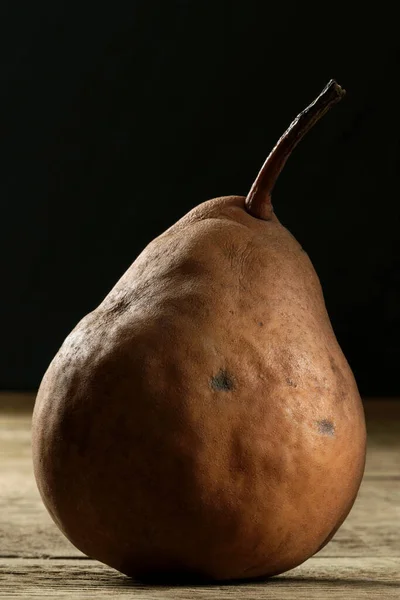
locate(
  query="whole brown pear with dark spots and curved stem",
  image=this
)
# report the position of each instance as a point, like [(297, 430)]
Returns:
[(202, 423)]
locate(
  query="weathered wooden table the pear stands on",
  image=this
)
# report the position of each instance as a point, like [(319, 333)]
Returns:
[(362, 561)]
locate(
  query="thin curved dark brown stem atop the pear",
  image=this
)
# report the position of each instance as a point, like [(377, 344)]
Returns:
[(258, 201)]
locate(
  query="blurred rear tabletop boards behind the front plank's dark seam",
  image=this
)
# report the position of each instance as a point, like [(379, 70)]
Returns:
[(26, 529)]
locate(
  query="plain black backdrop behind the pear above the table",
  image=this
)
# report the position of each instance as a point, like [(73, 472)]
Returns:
[(117, 119)]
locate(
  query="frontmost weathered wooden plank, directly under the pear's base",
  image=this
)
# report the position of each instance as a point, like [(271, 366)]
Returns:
[(355, 578)]
